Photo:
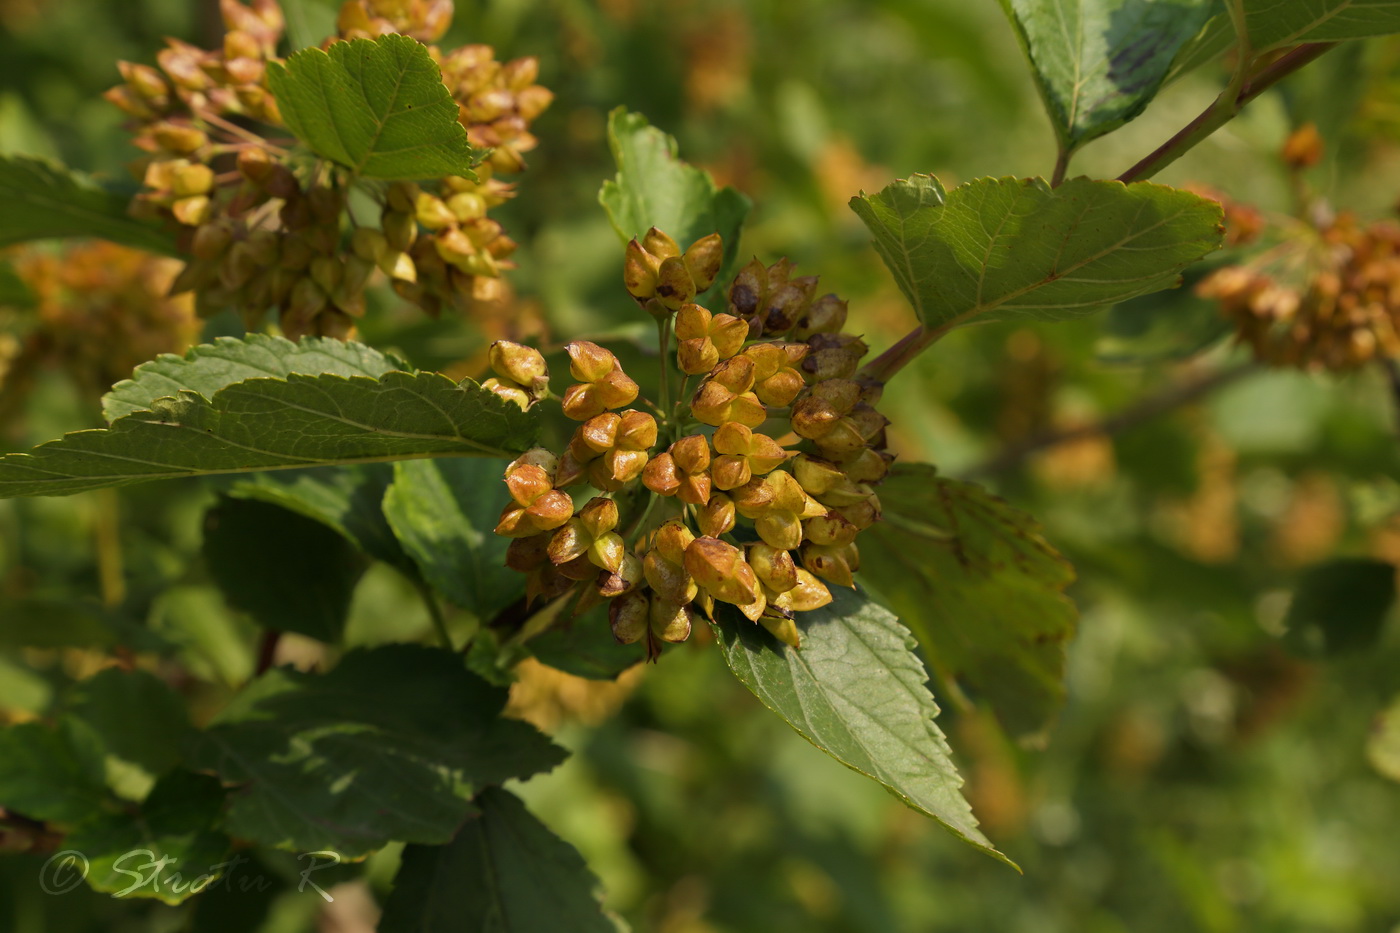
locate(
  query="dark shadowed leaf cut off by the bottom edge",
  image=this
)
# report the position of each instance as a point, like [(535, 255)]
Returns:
[(505, 872)]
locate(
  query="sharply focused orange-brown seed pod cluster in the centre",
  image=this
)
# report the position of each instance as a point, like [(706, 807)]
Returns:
[(752, 491)]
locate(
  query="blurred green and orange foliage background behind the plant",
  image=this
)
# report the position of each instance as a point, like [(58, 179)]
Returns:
[(1207, 774)]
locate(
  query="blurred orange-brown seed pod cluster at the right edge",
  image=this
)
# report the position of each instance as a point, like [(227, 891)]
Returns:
[(1329, 303)]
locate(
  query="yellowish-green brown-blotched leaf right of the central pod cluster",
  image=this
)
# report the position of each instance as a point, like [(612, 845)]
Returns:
[(979, 588)]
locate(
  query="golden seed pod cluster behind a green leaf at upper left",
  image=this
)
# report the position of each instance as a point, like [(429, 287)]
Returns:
[(261, 236)]
